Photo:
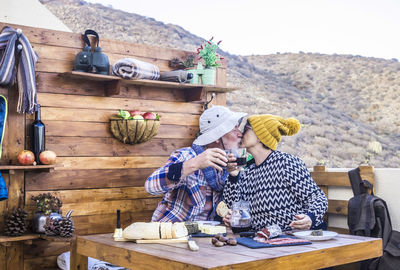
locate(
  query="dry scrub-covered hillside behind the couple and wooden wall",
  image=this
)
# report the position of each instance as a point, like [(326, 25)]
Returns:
[(345, 103)]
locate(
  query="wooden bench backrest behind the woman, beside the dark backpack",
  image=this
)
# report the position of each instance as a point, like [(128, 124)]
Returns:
[(326, 179)]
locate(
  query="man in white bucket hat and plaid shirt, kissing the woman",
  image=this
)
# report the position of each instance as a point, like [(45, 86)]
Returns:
[(193, 178)]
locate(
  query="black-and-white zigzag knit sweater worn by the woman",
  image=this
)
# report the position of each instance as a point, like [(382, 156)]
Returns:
[(277, 190)]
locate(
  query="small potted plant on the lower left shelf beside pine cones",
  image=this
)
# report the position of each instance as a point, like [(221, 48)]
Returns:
[(46, 205)]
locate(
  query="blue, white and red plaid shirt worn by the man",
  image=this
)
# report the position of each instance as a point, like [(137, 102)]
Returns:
[(189, 198)]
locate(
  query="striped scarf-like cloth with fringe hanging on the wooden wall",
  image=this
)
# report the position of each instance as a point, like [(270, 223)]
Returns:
[(17, 64)]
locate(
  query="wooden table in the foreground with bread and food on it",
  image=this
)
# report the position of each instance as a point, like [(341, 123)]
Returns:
[(340, 250)]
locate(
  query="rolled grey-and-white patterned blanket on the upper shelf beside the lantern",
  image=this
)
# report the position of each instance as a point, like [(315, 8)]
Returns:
[(129, 68)]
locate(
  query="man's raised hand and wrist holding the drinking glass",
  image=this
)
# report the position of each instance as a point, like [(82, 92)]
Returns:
[(212, 157)]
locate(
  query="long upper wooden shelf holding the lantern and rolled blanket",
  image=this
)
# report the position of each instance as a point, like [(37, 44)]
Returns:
[(112, 84)]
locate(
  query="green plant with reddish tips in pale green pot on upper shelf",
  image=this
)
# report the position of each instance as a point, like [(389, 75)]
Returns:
[(208, 53)]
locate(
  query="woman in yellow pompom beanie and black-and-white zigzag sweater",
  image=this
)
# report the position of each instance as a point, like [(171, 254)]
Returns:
[(277, 185)]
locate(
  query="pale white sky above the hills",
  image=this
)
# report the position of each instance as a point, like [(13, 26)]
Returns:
[(249, 27)]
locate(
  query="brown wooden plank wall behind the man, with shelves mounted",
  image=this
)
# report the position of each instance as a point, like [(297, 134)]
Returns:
[(99, 174)]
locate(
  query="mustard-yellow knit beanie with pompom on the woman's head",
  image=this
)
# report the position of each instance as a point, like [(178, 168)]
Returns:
[(269, 128)]
